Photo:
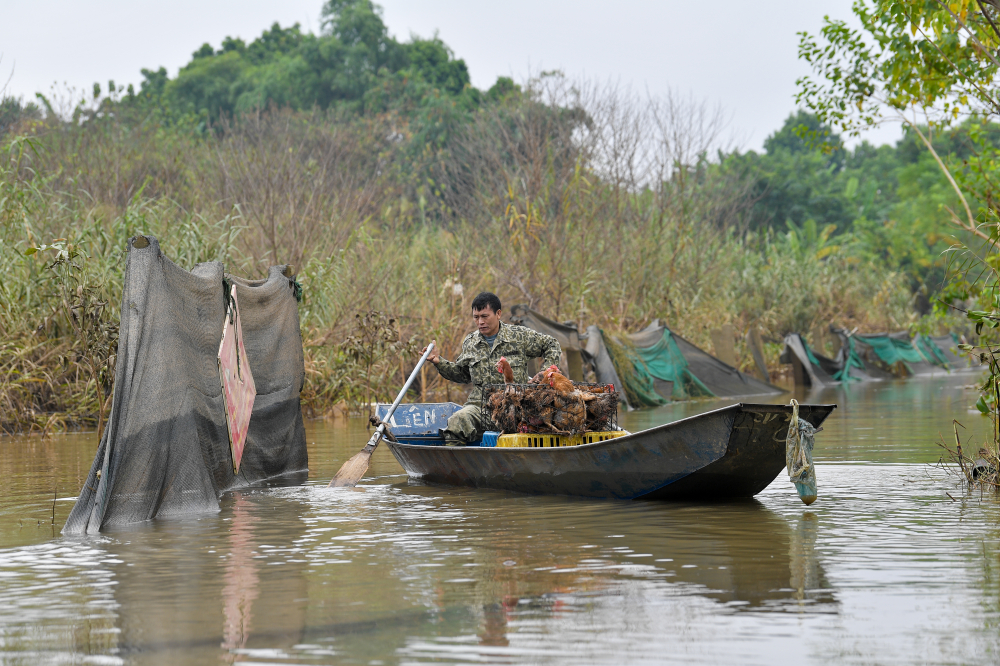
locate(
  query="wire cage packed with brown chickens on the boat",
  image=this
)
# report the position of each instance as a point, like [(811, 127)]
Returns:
[(540, 408)]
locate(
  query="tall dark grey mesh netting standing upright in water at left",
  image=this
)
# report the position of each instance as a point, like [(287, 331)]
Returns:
[(165, 449)]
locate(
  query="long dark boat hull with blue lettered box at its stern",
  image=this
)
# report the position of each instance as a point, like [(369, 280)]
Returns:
[(726, 453)]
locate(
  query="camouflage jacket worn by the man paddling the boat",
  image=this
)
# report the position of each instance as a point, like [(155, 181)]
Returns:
[(477, 363)]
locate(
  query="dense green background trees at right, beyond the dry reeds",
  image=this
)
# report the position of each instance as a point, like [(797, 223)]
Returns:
[(888, 204)]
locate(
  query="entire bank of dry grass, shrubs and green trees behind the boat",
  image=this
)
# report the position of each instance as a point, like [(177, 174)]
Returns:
[(392, 184)]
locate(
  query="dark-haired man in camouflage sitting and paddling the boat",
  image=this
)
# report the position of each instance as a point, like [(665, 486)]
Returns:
[(477, 363)]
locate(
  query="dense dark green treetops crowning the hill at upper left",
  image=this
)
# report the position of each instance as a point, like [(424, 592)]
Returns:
[(347, 65)]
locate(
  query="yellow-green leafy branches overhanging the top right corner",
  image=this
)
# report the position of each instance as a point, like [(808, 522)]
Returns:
[(908, 54)]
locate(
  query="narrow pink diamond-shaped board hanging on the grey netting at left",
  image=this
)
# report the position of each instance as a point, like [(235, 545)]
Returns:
[(238, 389)]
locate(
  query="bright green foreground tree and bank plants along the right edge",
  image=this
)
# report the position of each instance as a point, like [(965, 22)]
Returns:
[(932, 66)]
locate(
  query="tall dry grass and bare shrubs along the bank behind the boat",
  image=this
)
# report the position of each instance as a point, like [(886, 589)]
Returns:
[(613, 216)]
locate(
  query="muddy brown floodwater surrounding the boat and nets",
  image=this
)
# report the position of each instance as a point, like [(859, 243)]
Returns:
[(892, 565)]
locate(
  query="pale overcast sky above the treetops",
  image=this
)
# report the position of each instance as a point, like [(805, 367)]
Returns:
[(739, 54)]
